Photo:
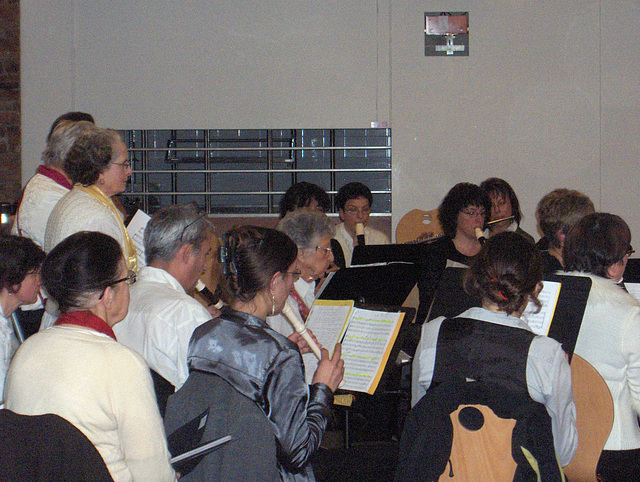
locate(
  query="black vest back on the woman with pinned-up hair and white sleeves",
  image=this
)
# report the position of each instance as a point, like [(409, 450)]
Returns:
[(482, 351)]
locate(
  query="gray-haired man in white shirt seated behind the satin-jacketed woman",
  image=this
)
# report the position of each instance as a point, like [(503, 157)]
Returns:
[(162, 316)]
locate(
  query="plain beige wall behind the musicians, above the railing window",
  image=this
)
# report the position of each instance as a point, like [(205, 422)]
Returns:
[(549, 96)]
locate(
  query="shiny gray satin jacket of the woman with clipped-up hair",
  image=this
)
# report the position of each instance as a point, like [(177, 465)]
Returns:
[(267, 368)]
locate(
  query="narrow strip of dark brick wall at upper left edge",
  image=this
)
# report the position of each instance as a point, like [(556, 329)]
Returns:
[(10, 175)]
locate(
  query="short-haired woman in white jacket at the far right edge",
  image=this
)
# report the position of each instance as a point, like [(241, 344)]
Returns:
[(599, 246)]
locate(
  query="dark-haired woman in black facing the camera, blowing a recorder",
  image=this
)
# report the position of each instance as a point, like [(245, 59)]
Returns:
[(464, 209)]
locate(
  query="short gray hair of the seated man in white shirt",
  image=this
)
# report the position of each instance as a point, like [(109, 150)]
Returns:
[(171, 228)]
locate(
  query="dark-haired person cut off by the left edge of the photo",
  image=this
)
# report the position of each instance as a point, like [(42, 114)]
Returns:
[(20, 260)]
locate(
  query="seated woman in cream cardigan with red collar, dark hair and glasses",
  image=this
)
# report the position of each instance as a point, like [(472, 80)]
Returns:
[(77, 370)]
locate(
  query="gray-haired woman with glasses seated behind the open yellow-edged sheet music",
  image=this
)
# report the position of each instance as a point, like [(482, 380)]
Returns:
[(311, 231)]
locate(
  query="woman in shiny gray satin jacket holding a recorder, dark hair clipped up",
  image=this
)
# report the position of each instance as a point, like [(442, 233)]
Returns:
[(259, 363)]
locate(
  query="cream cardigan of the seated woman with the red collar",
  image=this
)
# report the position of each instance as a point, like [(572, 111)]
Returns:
[(101, 387)]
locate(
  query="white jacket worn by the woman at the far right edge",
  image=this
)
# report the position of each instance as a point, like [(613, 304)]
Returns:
[(609, 339)]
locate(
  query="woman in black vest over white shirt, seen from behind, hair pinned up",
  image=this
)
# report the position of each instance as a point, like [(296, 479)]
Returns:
[(492, 346)]
